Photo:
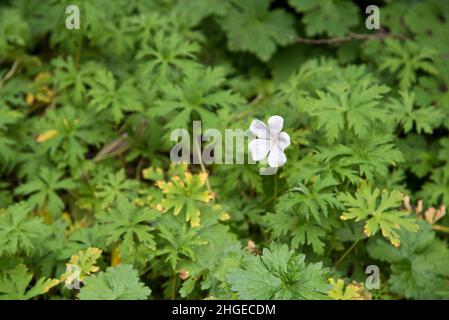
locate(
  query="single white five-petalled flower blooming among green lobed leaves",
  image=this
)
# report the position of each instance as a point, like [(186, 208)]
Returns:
[(270, 141)]
